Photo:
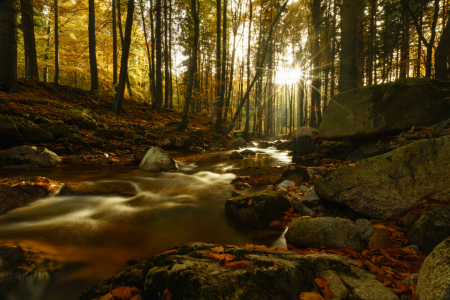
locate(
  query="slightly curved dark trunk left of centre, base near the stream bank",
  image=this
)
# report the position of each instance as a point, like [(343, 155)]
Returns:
[(192, 67)]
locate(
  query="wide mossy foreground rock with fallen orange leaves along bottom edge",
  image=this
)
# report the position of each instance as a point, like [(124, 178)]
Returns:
[(188, 273)]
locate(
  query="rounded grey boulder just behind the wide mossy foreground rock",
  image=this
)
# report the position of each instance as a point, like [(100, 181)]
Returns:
[(328, 232)]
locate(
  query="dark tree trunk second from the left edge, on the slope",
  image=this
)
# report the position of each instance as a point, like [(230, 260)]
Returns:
[(31, 66)]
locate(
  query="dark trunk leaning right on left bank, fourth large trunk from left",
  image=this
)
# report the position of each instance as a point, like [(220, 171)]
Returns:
[(117, 104)]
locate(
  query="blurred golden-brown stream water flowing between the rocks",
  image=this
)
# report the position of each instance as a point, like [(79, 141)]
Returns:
[(90, 237)]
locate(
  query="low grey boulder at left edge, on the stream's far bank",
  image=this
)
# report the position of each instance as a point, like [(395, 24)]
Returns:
[(41, 157)]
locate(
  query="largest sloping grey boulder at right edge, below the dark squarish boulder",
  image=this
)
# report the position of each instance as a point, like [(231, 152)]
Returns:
[(392, 183)]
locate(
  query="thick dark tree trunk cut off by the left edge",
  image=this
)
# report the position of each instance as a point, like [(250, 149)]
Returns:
[(8, 46)]
